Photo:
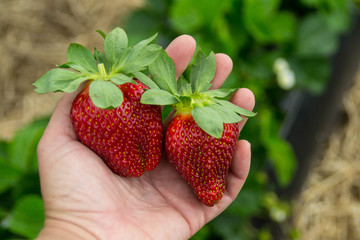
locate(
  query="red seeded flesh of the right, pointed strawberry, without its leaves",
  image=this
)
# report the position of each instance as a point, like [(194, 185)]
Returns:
[(201, 159)]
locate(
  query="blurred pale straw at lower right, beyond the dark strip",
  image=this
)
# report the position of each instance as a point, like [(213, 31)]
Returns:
[(329, 206)]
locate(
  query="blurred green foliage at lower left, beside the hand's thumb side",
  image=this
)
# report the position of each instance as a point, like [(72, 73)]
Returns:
[(21, 206)]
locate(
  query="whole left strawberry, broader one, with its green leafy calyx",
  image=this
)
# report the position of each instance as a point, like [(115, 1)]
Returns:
[(107, 114)]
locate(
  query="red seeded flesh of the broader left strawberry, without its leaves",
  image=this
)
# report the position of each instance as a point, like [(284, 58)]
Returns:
[(128, 138)]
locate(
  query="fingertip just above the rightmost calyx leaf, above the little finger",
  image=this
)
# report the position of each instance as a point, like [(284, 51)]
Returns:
[(243, 98)]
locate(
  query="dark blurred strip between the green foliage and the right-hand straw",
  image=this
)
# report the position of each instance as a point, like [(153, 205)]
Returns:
[(312, 120)]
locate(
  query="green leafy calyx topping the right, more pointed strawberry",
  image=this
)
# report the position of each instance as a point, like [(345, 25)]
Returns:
[(209, 108)]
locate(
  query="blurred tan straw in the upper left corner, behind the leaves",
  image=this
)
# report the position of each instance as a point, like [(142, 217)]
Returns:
[(34, 38)]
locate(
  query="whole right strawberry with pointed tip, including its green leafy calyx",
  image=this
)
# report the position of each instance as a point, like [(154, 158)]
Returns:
[(200, 140)]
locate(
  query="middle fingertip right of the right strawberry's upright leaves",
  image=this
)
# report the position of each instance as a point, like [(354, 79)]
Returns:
[(224, 66)]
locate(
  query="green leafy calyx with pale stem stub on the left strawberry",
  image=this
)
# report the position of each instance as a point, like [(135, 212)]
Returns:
[(118, 64)]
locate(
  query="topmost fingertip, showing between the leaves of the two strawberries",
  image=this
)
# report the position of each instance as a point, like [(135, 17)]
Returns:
[(181, 50)]
